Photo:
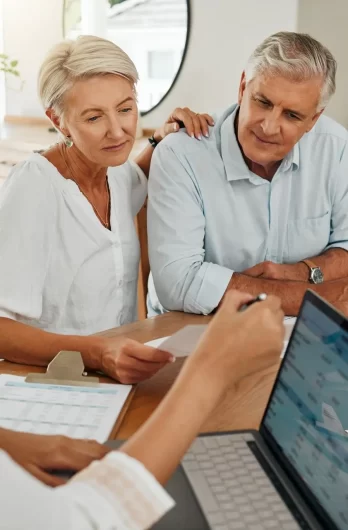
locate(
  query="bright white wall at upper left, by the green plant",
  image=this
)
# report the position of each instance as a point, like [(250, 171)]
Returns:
[(30, 29)]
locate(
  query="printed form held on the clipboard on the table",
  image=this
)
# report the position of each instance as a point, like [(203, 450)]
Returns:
[(75, 411)]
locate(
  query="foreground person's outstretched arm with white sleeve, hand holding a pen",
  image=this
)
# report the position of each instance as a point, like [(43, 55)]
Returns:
[(123, 492)]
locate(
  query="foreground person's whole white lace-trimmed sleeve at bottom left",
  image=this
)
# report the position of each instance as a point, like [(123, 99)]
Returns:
[(117, 492)]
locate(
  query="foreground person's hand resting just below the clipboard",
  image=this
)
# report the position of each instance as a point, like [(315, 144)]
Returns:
[(39, 454)]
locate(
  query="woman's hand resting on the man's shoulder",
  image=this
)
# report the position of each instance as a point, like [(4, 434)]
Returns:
[(196, 124)]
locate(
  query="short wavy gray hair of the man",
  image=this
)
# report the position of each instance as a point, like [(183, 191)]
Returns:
[(296, 56)]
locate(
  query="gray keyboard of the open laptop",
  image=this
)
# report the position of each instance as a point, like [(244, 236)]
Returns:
[(232, 488)]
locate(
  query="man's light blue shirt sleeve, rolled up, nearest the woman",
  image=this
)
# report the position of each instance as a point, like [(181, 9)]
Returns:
[(184, 281)]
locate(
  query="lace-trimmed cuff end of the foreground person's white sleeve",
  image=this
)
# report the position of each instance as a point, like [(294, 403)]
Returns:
[(120, 491)]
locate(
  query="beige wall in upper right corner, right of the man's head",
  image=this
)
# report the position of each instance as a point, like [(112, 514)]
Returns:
[(327, 21)]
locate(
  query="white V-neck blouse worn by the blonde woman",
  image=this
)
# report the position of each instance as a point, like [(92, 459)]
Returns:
[(61, 270)]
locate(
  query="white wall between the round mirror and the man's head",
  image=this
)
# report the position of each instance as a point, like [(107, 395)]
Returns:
[(223, 35)]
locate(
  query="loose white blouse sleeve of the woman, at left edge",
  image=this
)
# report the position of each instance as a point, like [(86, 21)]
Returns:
[(27, 216)]
